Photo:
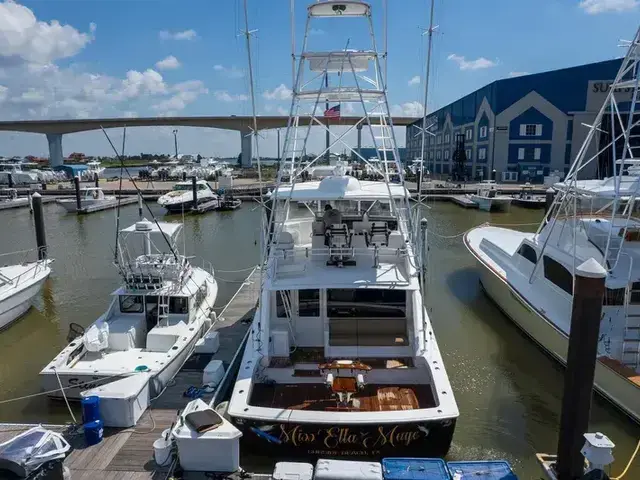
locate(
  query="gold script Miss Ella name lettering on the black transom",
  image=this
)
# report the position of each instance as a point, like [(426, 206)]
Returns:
[(343, 436)]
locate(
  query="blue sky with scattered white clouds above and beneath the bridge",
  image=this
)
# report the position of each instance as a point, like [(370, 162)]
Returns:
[(139, 58)]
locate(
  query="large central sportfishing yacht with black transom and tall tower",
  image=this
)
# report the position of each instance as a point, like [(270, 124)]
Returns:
[(342, 359)]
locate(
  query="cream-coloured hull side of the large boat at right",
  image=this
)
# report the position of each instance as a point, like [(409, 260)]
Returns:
[(616, 388)]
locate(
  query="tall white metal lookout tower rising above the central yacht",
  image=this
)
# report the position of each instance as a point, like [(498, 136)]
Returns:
[(353, 79)]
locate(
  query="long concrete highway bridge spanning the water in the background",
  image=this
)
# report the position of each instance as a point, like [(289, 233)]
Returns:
[(55, 129)]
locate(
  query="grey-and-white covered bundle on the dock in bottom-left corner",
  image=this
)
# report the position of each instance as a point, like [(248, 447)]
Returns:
[(28, 451)]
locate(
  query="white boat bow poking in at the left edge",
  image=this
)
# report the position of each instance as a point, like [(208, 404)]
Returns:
[(19, 285)]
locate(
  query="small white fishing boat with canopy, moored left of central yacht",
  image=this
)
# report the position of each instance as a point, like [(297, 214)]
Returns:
[(162, 309)]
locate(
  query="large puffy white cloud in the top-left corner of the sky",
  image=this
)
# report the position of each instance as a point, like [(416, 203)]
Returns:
[(23, 39)]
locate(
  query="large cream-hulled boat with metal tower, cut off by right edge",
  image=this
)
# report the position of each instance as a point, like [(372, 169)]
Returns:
[(530, 275)]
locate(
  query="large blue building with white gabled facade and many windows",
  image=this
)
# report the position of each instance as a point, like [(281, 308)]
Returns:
[(523, 128)]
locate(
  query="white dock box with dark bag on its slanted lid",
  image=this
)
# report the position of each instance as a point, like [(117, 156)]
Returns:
[(217, 450)]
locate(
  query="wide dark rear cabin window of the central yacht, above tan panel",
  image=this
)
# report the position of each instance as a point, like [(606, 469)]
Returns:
[(366, 302)]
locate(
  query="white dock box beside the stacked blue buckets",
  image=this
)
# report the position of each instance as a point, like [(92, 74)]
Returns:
[(123, 402)]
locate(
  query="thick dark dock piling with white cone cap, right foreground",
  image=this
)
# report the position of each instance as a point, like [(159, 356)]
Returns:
[(581, 363)]
